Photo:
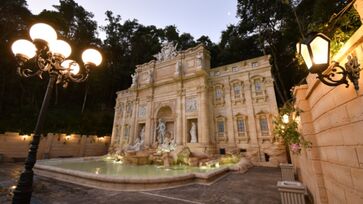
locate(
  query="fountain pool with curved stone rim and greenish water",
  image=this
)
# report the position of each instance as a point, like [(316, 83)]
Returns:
[(100, 172)]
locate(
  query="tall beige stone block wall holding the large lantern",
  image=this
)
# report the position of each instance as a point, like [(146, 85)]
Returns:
[(332, 120)]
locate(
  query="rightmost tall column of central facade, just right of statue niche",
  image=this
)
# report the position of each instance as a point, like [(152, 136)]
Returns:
[(203, 119)]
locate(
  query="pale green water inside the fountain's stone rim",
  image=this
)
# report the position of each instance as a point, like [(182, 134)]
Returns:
[(108, 167)]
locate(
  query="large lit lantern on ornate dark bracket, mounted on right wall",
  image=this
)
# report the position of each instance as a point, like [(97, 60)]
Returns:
[(315, 51)]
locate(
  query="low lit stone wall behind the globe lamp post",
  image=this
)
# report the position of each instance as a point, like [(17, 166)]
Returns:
[(14, 147)]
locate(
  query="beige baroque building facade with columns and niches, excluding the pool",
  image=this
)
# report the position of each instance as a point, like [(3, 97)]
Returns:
[(225, 109)]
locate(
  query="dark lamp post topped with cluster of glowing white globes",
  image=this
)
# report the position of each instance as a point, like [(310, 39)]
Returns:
[(50, 55)]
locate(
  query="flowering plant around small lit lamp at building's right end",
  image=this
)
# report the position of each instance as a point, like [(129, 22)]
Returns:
[(288, 131)]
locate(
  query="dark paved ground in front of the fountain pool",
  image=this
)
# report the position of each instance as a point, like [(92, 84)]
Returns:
[(258, 185)]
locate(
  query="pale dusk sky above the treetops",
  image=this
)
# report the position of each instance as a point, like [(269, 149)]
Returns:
[(197, 17)]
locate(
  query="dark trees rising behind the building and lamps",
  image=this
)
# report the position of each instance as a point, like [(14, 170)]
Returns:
[(265, 27)]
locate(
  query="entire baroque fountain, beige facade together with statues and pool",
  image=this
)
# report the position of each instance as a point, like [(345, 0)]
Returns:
[(181, 122)]
